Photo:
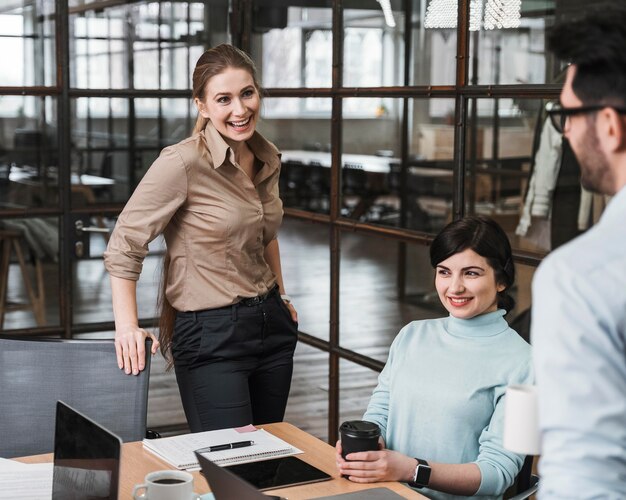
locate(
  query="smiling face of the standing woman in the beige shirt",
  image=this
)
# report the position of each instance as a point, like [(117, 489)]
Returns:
[(232, 104)]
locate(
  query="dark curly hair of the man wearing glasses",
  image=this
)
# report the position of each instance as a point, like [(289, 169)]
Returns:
[(596, 44)]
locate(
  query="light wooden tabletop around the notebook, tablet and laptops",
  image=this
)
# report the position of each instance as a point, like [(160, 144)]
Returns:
[(137, 462)]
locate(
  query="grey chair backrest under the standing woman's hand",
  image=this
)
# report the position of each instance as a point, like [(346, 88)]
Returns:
[(35, 373)]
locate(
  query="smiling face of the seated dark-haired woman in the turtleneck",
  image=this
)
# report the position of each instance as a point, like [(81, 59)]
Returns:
[(466, 285)]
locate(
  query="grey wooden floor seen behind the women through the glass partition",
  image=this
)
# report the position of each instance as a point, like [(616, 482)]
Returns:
[(370, 317)]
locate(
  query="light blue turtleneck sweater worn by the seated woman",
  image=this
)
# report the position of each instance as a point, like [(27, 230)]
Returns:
[(440, 395)]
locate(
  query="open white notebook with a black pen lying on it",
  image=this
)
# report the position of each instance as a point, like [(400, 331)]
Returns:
[(178, 451)]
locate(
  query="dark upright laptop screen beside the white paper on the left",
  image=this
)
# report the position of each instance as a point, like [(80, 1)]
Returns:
[(86, 458)]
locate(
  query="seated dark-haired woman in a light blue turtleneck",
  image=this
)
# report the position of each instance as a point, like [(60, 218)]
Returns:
[(439, 400)]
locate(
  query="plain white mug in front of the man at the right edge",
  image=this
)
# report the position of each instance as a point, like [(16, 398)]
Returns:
[(521, 420)]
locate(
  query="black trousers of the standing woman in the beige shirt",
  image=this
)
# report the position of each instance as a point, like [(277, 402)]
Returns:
[(234, 364)]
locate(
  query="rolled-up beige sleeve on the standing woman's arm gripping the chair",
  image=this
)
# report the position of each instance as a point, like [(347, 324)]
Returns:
[(157, 198)]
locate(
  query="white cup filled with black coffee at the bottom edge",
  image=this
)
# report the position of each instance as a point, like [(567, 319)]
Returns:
[(166, 485)]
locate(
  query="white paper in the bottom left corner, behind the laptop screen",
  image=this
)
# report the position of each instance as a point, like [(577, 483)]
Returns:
[(25, 482)]
